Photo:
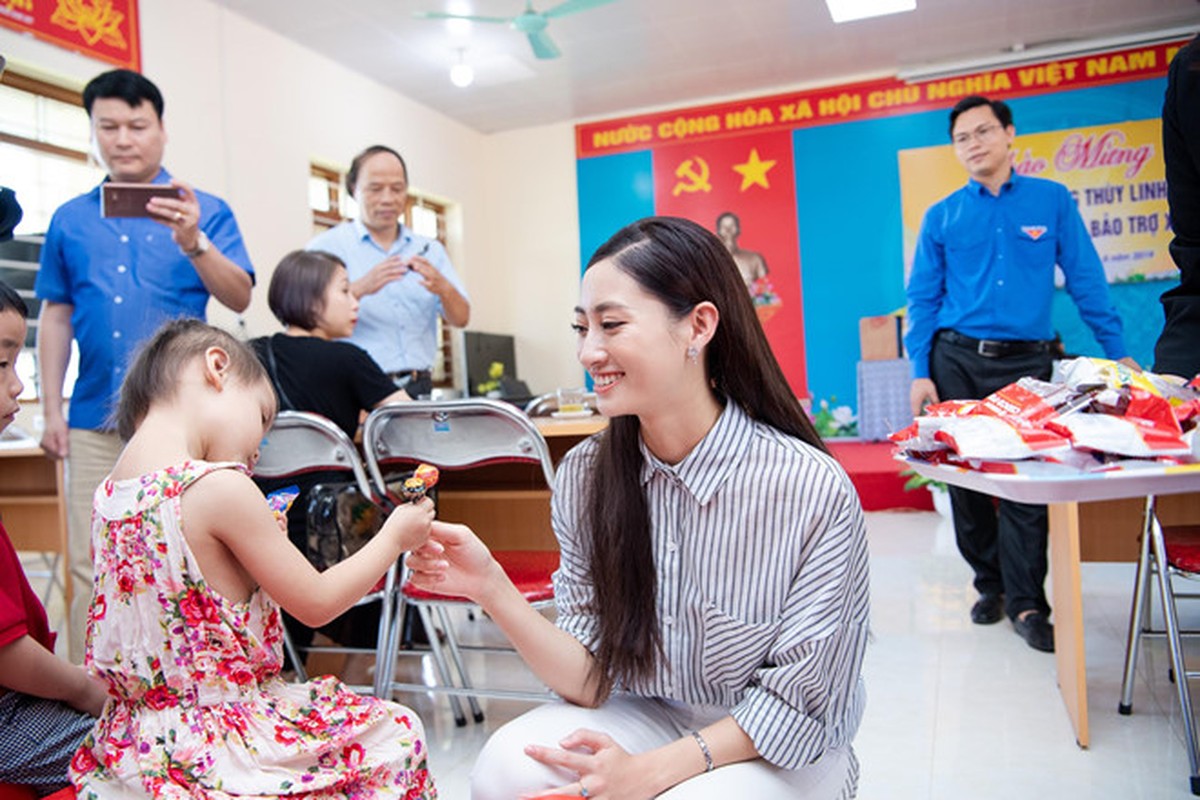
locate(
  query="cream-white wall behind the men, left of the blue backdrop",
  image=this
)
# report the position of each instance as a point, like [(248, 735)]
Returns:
[(247, 112)]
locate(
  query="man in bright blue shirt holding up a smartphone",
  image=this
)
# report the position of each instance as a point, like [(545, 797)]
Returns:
[(109, 282)]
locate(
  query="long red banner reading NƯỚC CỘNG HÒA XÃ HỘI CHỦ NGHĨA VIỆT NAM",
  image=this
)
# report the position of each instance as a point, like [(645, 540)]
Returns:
[(867, 100)]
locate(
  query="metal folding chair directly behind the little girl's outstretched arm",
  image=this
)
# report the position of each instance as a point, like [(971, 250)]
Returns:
[(302, 442)]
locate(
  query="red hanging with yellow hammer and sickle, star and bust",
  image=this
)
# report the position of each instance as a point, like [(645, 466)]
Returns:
[(745, 190)]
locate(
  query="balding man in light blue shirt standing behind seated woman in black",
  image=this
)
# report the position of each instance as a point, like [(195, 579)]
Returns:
[(405, 282)]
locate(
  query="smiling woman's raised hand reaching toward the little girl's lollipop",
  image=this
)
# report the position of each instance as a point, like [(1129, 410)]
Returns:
[(453, 562)]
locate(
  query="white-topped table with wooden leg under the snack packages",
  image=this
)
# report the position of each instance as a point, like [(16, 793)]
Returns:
[(1064, 495)]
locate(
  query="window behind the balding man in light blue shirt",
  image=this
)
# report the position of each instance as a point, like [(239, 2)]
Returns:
[(332, 204)]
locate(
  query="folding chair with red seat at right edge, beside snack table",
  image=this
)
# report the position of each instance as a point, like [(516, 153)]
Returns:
[(1167, 552)]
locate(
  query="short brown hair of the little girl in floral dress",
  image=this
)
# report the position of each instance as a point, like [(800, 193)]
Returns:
[(155, 372)]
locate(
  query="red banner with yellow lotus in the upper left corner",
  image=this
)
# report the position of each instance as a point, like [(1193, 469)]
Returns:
[(101, 29)]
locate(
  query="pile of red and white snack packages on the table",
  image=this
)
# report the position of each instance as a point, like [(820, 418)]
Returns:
[(1099, 416)]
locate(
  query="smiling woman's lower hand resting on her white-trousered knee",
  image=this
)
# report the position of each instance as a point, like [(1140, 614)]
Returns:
[(605, 768)]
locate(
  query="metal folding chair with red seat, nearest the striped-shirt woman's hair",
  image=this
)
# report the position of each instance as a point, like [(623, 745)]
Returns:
[(460, 435)]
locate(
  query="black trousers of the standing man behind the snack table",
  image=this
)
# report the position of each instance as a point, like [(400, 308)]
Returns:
[(1005, 543)]
